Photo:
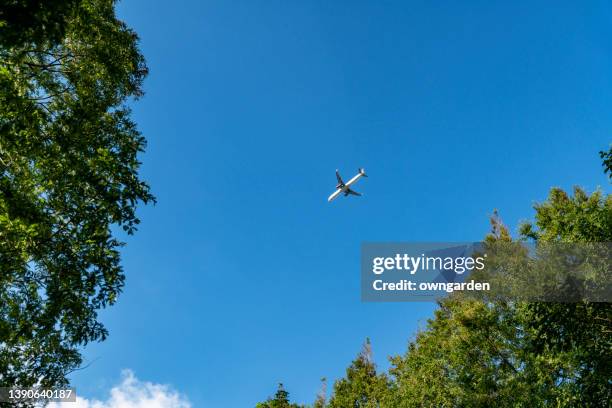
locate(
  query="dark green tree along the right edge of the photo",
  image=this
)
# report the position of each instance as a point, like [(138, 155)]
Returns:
[(578, 335)]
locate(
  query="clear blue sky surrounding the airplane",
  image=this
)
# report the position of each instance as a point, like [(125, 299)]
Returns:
[(243, 276)]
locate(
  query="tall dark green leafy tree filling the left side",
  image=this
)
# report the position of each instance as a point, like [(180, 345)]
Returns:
[(68, 176)]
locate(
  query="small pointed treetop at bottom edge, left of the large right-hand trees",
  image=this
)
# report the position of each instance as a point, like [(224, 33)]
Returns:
[(363, 386)]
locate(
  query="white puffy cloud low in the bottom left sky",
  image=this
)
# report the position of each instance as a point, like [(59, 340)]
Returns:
[(133, 393)]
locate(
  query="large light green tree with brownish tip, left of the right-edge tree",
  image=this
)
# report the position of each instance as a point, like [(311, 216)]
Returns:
[(470, 355)]
